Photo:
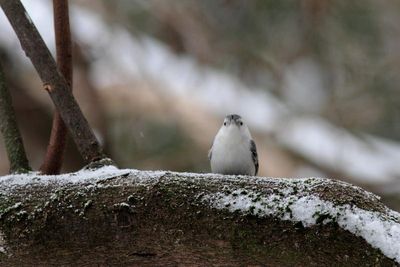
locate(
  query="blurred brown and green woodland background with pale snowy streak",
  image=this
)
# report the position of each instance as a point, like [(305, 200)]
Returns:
[(317, 81)]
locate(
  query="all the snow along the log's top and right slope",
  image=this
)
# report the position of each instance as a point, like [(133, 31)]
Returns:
[(291, 199)]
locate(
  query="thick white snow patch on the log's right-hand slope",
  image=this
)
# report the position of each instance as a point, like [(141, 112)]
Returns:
[(381, 231)]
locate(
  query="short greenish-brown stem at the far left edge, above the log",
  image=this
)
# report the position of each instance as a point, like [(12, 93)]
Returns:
[(9, 129)]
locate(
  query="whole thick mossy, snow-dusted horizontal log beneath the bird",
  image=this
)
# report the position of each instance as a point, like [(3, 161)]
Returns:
[(207, 208)]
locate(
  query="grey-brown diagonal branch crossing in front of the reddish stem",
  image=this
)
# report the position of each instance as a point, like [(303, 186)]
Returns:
[(53, 81)]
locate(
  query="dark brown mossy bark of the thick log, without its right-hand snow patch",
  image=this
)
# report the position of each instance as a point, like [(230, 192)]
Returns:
[(160, 219)]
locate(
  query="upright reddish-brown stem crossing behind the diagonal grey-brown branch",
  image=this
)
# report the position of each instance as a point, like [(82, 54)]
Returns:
[(55, 150)]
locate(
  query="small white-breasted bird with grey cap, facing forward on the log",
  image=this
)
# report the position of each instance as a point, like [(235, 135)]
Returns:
[(233, 150)]
